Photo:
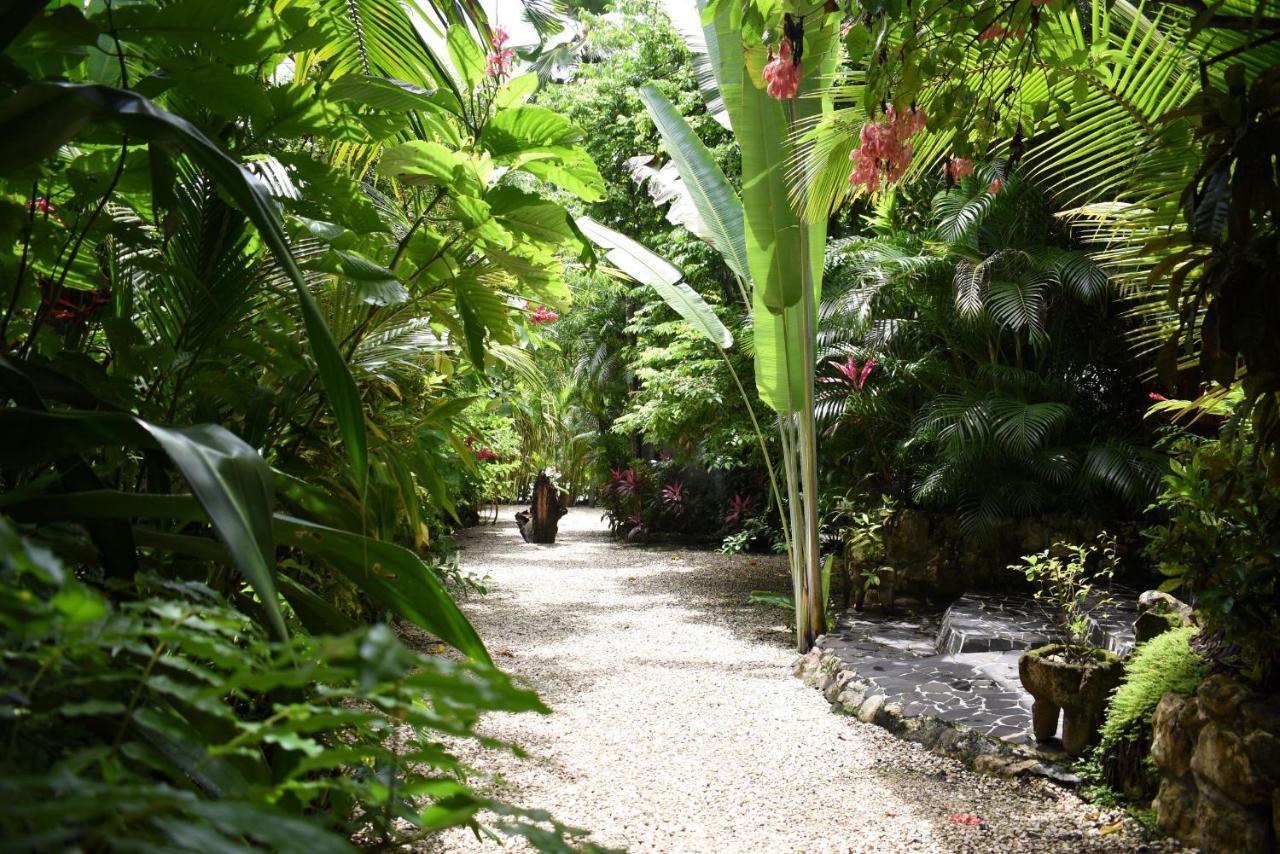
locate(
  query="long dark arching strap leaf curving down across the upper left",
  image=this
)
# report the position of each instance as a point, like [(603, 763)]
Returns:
[(42, 117)]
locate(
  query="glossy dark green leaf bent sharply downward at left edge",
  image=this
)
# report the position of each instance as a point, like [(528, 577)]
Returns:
[(227, 477)]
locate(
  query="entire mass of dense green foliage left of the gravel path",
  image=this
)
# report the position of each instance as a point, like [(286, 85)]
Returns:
[(263, 268)]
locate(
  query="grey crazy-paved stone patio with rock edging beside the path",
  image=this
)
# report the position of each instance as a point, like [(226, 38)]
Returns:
[(921, 672)]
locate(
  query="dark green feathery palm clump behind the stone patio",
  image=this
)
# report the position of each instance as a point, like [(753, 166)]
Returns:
[(958, 366)]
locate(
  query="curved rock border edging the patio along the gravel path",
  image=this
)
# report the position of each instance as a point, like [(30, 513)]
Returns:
[(848, 695)]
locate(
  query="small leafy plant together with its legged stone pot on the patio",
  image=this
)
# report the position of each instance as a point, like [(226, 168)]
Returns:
[(1073, 677)]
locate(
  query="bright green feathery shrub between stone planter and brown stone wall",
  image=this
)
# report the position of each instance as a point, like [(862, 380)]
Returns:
[(1164, 664)]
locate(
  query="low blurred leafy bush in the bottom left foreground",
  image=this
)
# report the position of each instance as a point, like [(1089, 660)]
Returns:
[(172, 720)]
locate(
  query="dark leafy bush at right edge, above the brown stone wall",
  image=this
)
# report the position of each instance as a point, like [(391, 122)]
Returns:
[(1220, 544)]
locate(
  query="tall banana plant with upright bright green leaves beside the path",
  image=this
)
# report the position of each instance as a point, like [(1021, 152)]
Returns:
[(769, 94)]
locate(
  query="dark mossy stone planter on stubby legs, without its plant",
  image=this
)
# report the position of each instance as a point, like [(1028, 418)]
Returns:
[(1078, 691)]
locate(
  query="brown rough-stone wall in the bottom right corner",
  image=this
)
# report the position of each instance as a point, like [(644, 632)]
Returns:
[(1219, 755)]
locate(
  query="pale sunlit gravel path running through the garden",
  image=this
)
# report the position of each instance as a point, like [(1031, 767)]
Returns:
[(679, 728)]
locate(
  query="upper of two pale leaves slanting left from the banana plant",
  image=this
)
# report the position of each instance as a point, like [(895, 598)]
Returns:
[(714, 197)]
